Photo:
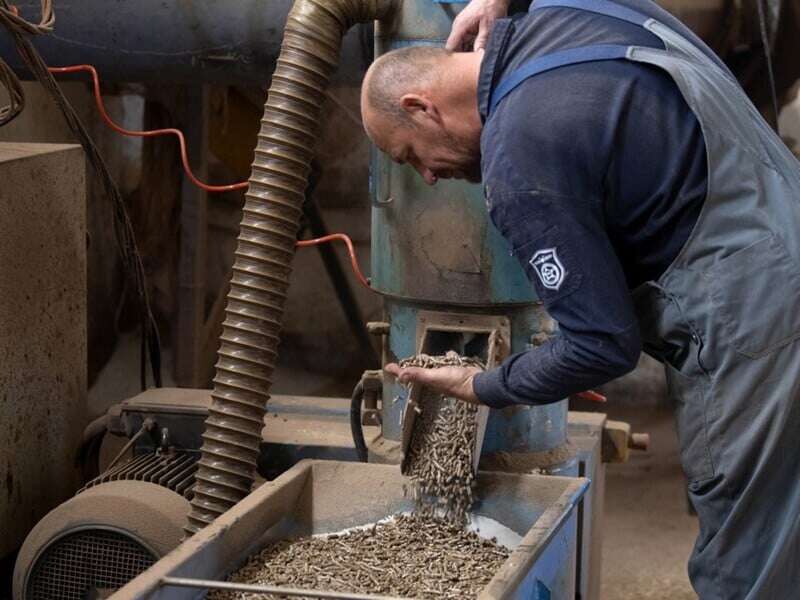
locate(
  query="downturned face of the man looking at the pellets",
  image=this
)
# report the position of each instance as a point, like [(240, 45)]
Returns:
[(428, 147)]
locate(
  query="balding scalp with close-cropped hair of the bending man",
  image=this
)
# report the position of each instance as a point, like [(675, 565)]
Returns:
[(399, 72)]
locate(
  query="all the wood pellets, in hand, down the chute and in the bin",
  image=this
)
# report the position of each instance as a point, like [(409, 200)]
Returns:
[(427, 555)]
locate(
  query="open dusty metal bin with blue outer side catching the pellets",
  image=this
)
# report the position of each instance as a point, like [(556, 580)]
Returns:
[(328, 496)]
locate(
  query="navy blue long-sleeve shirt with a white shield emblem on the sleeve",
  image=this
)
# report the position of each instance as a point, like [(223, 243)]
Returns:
[(595, 173)]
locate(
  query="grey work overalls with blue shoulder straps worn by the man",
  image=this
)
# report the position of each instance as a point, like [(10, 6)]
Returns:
[(725, 320)]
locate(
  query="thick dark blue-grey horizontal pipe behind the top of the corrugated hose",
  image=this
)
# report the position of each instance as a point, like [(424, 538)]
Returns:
[(202, 41)]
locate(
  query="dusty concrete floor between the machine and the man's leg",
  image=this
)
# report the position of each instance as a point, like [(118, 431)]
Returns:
[(649, 533)]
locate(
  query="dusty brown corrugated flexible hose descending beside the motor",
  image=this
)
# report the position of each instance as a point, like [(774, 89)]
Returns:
[(268, 231)]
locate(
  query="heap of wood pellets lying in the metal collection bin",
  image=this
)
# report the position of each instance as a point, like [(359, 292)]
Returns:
[(409, 556)]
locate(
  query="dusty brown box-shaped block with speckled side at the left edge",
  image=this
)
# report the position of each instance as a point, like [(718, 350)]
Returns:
[(42, 330)]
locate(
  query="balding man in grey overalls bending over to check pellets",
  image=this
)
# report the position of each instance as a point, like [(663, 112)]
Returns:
[(651, 207)]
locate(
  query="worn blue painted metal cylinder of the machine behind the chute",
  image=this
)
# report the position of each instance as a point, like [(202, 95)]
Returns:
[(433, 248)]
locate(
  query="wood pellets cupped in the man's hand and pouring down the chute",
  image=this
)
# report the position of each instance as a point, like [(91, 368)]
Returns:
[(440, 454)]
